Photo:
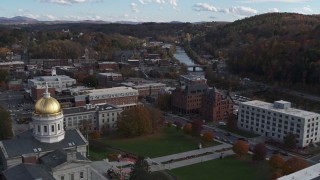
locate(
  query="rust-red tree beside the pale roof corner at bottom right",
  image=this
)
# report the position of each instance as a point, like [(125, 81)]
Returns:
[(293, 164)]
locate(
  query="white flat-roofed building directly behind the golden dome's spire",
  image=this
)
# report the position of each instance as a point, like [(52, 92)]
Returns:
[(57, 82)]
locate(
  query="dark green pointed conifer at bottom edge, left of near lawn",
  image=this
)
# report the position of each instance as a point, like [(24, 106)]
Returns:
[(140, 170)]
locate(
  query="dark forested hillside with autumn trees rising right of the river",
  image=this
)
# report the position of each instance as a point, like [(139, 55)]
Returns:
[(277, 47)]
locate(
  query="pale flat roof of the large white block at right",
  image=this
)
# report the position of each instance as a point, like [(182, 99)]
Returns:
[(290, 111)]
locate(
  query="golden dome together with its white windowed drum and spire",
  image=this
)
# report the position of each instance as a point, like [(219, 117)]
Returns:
[(48, 119)]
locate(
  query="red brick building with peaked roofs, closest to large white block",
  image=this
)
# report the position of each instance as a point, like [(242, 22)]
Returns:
[(216, 105)]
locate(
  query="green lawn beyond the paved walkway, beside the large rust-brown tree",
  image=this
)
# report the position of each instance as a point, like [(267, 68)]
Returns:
[(170, 141)]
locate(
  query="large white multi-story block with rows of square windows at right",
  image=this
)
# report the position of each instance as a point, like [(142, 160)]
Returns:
[(276, 120)]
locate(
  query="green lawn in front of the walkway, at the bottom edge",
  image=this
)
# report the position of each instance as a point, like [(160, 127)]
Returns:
[(228, 168)]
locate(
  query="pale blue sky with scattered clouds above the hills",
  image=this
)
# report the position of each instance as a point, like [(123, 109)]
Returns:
[(152, 10)]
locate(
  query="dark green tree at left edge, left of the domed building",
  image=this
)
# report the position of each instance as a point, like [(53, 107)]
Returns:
[(5, 124)]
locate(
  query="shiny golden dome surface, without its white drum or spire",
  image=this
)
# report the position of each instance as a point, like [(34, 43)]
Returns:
[(47, 106)]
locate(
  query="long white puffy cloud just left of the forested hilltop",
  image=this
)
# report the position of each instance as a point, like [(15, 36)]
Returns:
[(236, 11)]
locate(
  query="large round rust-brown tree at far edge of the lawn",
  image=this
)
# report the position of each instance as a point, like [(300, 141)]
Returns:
[(134, 122)]
